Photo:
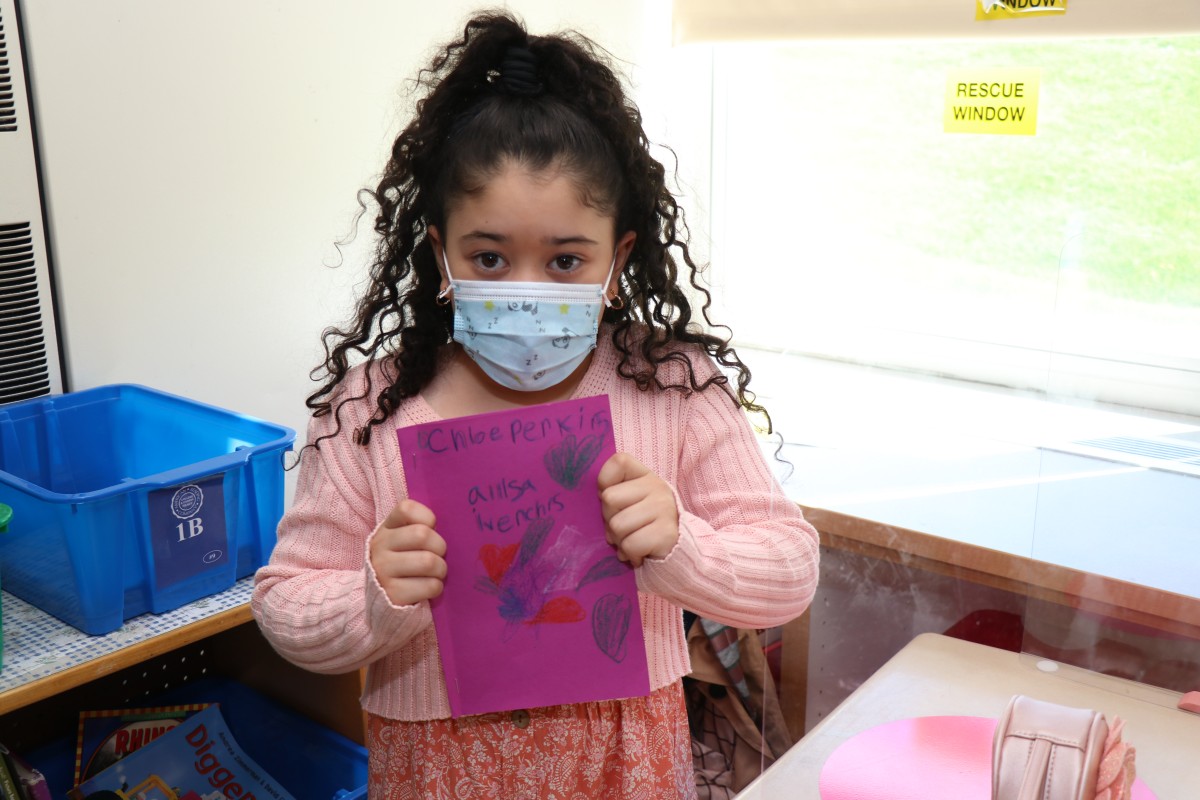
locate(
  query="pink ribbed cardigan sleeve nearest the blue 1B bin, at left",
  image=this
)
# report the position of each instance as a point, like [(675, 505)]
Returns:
[(319, 601)]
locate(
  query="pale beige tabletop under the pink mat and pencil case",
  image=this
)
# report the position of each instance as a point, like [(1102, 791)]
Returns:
[(938, 676)]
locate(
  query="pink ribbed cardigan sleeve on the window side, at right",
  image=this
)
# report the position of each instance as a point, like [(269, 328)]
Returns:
[(746, 555)]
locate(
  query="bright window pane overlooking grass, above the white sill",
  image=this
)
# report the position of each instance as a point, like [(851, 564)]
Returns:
[(848, 224)]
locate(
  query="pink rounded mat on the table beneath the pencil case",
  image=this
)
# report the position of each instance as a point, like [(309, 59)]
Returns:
[(923, 759)]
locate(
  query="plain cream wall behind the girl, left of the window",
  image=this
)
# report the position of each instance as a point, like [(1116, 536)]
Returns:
[(201, 161)]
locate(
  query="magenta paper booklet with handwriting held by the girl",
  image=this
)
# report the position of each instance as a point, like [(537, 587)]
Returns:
[(537, 609)]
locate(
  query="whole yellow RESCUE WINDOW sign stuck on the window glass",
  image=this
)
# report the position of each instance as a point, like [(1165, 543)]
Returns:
[(993, 101)]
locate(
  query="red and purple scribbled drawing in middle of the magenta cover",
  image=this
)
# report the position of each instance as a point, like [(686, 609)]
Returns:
[(535, 580)]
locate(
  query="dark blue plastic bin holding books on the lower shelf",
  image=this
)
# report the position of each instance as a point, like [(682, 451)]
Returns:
[(307, 759)]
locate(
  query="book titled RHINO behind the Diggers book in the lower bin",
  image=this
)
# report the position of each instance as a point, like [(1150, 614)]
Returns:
[(106, 737)]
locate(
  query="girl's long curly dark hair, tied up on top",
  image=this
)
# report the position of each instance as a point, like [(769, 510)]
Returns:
[(495, 97)]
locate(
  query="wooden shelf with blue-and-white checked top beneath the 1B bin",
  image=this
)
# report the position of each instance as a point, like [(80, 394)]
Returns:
[(213, 637)]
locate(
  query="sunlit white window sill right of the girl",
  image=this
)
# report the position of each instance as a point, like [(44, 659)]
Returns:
[(986, 466)]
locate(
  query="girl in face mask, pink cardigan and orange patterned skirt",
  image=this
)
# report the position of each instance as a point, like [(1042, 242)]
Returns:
[(527, 165)]
